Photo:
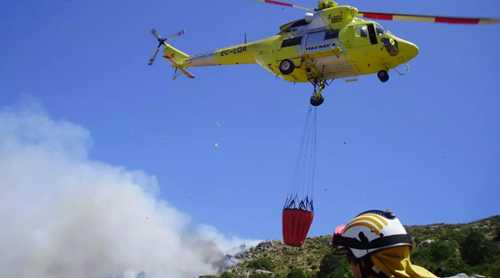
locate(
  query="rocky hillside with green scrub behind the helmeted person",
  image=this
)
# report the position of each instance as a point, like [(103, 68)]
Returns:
[(471, 248)]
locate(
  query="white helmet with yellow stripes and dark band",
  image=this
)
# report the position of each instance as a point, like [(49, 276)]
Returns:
[(369, 232)]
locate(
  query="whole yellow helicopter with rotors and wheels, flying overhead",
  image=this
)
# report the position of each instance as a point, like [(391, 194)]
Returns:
[(330, 42)]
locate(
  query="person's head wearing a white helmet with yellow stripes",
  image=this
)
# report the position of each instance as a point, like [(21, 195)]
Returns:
[(369, 233)]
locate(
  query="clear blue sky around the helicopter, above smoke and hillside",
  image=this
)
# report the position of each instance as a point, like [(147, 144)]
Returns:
[(424, 144)]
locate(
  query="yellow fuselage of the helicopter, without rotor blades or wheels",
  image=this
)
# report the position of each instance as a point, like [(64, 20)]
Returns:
[(328, 44)]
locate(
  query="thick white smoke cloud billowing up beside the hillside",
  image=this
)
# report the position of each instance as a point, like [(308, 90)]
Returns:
[(63, 215)]
